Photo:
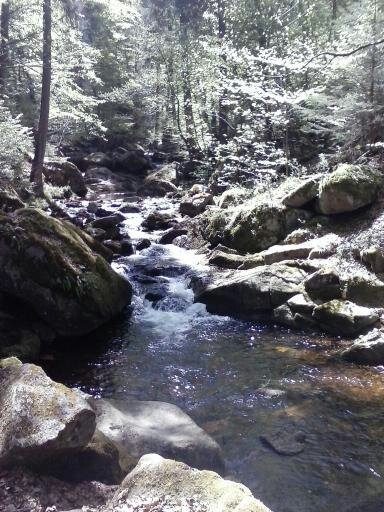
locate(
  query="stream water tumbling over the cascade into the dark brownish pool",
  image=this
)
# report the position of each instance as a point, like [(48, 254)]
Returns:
[(239, 381)]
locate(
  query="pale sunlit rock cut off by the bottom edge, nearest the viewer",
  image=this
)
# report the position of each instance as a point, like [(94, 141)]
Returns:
[(161, 484)]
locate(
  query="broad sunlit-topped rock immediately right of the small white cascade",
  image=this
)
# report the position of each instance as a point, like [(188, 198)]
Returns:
[(251, 291)]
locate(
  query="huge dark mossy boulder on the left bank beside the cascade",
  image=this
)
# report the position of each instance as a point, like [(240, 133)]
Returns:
[(56, 269)]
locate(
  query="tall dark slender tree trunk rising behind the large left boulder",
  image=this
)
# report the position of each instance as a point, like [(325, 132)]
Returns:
[(42, 132)]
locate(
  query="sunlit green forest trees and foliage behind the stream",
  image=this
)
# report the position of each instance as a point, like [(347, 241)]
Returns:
[(252, 88)]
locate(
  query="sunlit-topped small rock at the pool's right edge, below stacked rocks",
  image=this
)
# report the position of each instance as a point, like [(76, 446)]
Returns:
[(344, 318)]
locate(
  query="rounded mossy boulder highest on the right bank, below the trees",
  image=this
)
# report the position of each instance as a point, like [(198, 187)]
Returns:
[(348, 188)]
